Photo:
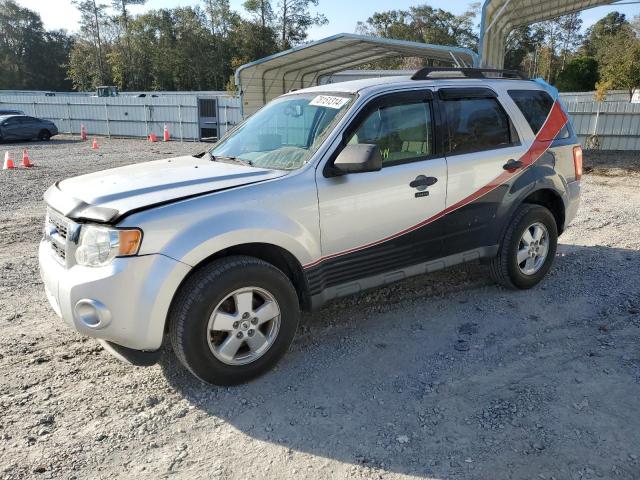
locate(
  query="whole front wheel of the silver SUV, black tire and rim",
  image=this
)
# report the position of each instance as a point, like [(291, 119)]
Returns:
[(233, 319)]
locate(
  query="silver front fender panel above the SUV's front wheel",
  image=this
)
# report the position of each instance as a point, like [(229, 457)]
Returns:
[(282, 213)]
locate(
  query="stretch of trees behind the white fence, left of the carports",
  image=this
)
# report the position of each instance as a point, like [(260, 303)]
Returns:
[(181, 48)]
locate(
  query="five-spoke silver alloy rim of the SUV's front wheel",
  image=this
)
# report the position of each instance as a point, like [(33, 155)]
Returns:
[(243, 326)]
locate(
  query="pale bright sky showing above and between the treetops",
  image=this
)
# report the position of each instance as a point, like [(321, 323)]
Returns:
[(343, 15)]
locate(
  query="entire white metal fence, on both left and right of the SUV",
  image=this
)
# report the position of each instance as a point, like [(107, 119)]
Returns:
[(611, 125)]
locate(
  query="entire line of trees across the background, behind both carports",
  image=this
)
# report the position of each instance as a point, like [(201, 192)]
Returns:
[(199, 47)]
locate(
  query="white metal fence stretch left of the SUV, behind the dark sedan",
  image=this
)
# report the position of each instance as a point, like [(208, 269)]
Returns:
[(129, 116)]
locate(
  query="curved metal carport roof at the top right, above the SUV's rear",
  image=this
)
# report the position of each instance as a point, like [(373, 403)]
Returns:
[(500, 17)]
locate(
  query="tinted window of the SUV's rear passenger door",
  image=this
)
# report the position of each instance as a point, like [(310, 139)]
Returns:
[(477, 124)]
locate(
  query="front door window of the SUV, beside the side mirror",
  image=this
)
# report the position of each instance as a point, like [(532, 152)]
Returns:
[(403, 132)]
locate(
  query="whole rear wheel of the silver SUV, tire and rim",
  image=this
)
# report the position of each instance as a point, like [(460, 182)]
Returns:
[(520, 263)]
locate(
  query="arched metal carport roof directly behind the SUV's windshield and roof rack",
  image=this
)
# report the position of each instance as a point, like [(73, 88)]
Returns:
[(300, 67)]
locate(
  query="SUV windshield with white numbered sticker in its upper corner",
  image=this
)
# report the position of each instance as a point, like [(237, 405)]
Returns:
[(285, 133)]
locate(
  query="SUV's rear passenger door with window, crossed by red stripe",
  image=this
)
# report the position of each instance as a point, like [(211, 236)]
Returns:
[(480, 139)]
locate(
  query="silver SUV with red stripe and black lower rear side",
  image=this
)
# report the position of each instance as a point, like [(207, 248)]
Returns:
[(325, 192)]
